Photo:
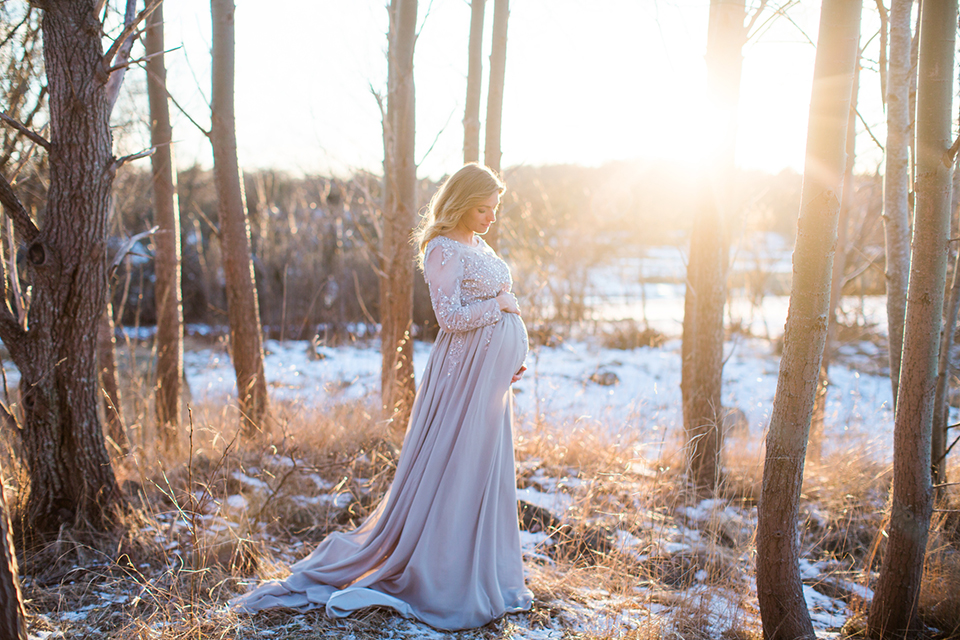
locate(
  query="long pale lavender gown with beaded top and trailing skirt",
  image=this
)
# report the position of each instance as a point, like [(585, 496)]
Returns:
[(443, 545)]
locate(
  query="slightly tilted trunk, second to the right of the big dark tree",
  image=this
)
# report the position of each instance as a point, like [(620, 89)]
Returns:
[(246, 341)]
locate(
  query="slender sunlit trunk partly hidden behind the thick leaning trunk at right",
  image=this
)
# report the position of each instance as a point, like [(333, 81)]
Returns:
[(815, 446)]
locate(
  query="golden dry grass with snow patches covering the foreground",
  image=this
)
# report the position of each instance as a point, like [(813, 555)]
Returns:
[(636, 555)]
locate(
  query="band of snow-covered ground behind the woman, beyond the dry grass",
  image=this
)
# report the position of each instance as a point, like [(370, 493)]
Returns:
[(571, 384)]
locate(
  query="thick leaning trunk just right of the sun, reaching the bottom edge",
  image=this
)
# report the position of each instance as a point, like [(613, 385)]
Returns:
[(783, 610)]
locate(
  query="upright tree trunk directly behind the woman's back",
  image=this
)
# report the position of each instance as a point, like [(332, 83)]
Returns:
[(399, 218)]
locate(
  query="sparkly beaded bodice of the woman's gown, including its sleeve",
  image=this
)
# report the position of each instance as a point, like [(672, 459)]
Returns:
[(463, 283)]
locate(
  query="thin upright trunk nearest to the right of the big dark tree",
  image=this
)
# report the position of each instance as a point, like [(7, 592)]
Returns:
[(167, 240)]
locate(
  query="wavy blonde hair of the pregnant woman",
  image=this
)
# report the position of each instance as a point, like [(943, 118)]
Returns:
[(469, 187)]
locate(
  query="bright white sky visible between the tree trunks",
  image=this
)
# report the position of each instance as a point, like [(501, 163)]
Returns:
[(585, 83)]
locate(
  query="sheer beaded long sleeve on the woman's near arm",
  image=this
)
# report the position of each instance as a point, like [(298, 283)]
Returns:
[(444, 270)]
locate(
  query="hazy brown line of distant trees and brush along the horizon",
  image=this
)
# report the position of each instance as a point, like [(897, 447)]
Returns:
[(315, 239)]
